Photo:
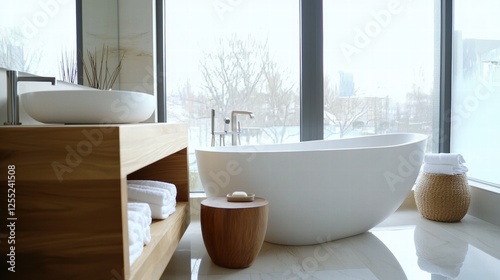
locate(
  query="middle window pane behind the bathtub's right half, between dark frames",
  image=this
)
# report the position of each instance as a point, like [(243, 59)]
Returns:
[(381, 66)]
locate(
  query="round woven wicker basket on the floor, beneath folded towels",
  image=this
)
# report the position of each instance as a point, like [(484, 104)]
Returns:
[(443, 198)]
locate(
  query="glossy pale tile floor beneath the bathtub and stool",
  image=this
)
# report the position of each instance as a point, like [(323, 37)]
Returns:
[(405, 246)]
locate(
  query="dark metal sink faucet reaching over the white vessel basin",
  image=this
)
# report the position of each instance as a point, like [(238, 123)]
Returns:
[(12, 96)]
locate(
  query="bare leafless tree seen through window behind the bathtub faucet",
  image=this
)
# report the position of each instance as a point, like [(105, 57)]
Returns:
[(241, 75)]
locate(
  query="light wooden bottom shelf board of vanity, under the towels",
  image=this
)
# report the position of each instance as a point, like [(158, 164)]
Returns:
[(165, 237)]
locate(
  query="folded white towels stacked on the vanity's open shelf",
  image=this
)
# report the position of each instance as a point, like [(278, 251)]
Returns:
[(147, 200)]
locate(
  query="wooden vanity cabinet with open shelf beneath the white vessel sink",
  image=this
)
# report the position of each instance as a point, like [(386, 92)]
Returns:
[(71, 198)]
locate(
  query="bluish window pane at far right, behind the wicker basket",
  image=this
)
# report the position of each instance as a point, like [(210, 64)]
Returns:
[(476, 87)]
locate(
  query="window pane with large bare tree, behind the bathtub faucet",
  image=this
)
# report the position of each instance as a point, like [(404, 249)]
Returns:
[(233, 55)]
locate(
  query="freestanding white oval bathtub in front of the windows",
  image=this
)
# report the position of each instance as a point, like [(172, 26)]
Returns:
[(318, 191)]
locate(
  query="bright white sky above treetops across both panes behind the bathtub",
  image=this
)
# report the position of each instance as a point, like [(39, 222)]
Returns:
[(377, 40)]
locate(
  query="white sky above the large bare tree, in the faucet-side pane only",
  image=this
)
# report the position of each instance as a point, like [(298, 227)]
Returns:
[(195, 26)]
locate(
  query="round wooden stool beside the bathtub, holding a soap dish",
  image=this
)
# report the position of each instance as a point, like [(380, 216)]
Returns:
[(233, 232)]
